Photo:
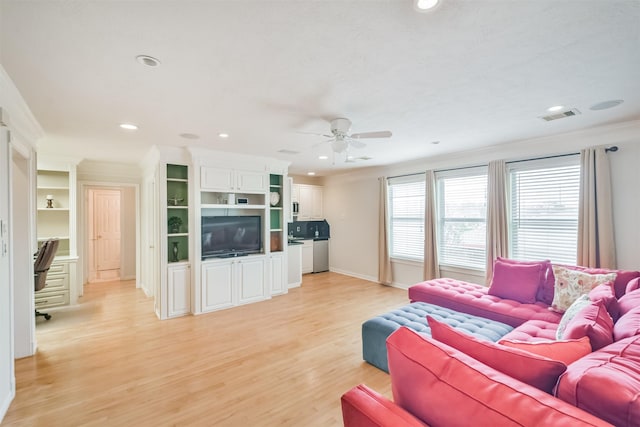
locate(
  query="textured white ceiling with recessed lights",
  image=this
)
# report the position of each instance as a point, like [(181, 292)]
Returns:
[(470, 74)]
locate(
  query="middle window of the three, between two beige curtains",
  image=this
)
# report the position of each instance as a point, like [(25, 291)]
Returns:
[(462, 217)]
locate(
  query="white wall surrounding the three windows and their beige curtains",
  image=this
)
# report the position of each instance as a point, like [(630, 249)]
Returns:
[(351, 200)]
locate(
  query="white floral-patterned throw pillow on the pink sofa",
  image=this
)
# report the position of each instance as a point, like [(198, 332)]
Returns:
[(571, 284)]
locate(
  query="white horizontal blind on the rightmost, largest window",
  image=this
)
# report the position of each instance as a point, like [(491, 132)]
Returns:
[(544, 209)]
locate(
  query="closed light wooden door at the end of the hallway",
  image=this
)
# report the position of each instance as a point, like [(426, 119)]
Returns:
[(104, 234)]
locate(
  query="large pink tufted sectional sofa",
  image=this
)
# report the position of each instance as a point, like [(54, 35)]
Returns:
[(435, 381)]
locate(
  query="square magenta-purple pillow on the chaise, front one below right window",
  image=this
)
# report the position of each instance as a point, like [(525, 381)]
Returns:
[(518, 282)]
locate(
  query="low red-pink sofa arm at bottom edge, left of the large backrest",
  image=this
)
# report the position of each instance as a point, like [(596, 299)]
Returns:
[(363, 407)]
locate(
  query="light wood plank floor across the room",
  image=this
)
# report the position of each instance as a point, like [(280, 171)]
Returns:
[(284, 362)]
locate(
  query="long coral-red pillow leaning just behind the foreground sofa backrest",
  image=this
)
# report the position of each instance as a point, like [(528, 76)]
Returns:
[(527, 367)]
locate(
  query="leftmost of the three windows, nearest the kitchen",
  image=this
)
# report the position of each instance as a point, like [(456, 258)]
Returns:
[(406, 216)]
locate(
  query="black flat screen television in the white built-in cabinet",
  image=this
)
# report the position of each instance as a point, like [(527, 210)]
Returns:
[(227, 236)]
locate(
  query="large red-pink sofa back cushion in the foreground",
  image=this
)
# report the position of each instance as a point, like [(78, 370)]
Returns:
[(445, 387)]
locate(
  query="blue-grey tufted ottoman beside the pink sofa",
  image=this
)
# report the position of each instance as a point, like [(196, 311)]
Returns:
[(414, 316)]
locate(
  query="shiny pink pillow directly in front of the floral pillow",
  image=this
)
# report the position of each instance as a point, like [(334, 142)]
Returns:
[(593, 321)]
